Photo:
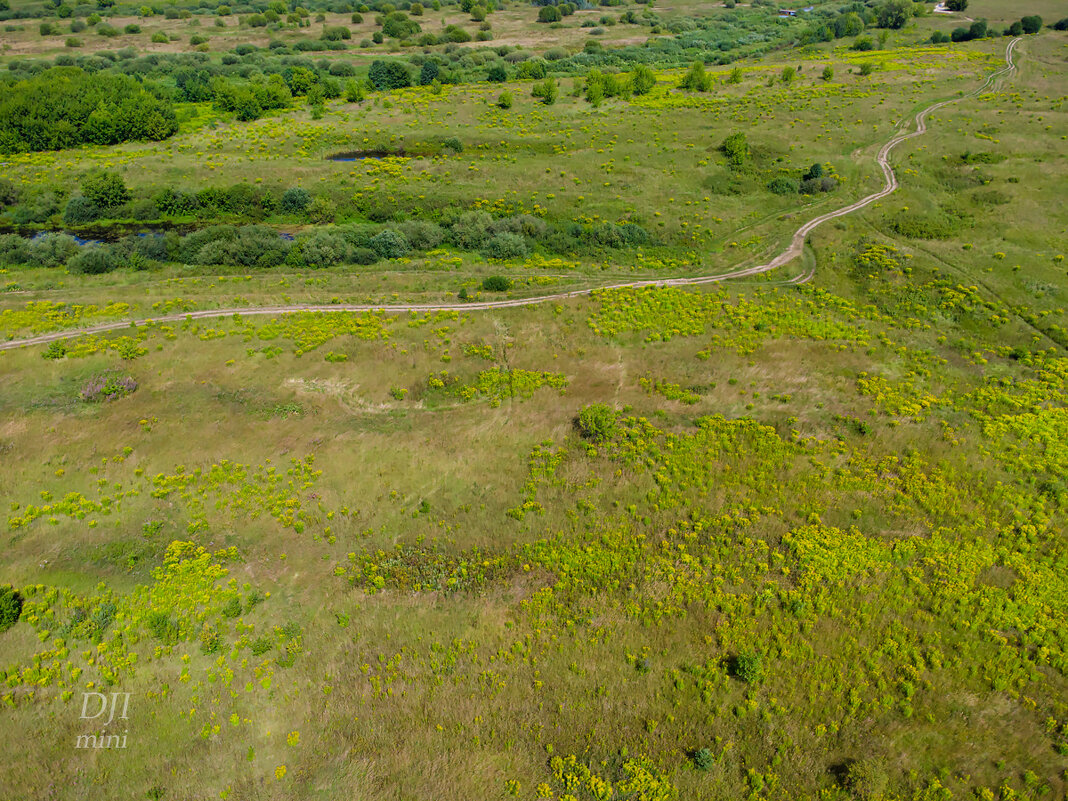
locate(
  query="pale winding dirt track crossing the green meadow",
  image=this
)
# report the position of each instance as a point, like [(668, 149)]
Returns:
[(792, 253)]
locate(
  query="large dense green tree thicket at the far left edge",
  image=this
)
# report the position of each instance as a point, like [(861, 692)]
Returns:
[(67, 107)]
